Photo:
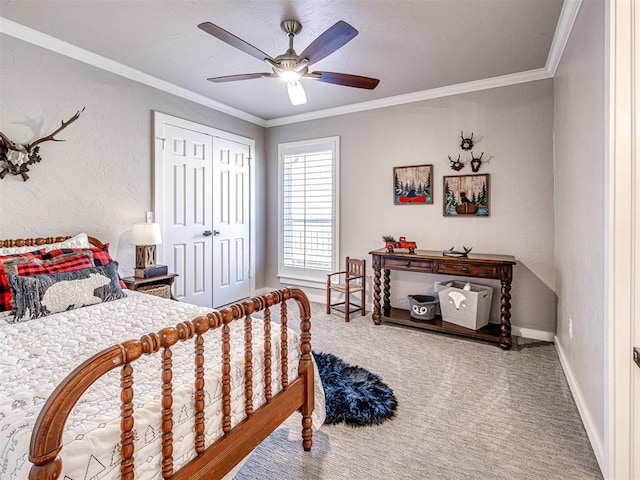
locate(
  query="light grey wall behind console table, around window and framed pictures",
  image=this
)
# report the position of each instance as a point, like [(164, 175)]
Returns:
[(512, 126)]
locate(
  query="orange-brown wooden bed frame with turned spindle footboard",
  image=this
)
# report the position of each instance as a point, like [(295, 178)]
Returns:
[(236, 443)]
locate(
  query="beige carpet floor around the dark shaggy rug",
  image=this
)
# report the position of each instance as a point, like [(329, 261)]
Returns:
[(467, 410)]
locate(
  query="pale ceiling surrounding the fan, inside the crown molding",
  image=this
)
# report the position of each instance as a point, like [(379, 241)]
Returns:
[(410, 45)]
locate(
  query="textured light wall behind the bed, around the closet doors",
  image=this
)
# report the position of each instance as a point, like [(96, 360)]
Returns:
[(99, 180)]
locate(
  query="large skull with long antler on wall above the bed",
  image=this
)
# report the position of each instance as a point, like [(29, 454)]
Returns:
[(16, 158)]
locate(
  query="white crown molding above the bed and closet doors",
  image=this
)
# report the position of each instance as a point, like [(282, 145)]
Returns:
[(48, 42)]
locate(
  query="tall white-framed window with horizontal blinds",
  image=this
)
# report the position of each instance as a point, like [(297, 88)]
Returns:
[(308, 211)]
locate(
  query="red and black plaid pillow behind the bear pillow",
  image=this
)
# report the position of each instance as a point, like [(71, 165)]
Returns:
[(28, 264)]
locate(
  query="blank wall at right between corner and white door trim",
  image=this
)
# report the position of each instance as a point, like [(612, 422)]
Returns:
[(579, 88)]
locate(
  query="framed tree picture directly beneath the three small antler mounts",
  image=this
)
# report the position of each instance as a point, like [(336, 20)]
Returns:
[(466, 195)]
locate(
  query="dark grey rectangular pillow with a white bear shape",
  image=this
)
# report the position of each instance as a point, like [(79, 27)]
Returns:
[(46, 294)]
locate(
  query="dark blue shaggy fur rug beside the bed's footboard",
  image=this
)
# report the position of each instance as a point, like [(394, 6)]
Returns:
[(354, 395)]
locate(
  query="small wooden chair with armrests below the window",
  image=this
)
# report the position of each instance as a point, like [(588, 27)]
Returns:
[(351, 280)]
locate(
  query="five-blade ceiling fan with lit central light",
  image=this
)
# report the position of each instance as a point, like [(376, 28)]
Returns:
[(292, 67)]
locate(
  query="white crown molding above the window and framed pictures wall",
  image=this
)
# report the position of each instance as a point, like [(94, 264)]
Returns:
[(460, 88)]
